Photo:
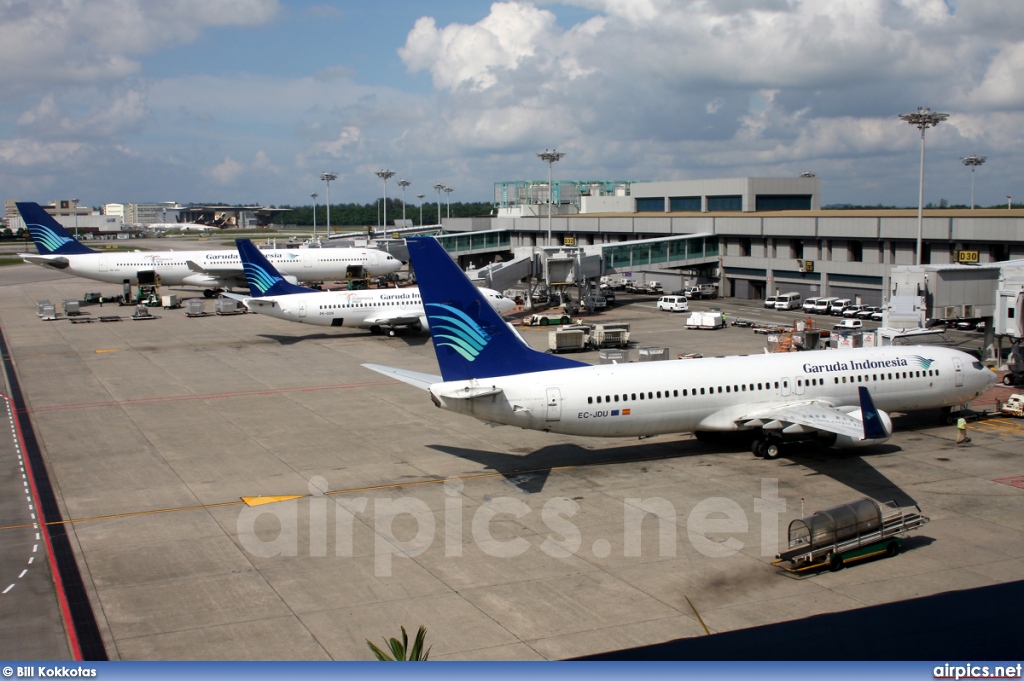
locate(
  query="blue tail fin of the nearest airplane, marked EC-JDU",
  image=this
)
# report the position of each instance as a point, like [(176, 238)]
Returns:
[(472, 340)]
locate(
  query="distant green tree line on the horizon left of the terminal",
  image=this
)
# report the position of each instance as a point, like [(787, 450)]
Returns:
[(370, 215)]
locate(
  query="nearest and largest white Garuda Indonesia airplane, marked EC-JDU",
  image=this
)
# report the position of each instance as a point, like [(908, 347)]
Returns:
[(836, 398)]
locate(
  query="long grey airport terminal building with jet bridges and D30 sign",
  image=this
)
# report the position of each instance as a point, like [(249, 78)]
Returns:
[(751, 237)]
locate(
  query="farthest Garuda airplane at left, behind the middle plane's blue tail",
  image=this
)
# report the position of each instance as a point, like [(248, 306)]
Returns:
[(211, 270)]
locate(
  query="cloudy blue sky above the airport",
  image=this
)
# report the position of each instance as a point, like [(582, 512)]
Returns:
[(248, 101)]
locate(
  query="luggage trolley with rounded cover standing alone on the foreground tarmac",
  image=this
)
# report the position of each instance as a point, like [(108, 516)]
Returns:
[(854, 532)]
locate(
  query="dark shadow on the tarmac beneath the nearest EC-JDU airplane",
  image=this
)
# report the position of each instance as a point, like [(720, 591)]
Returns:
[(530, 473)]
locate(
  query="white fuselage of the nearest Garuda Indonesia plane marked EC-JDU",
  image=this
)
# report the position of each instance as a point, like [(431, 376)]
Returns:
[(715, 395)]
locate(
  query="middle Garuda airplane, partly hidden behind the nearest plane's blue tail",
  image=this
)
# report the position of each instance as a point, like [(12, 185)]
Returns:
[(374, 310)]
